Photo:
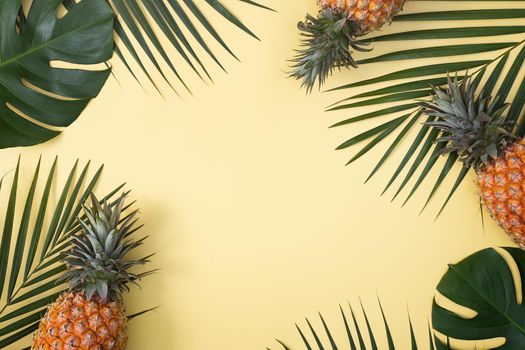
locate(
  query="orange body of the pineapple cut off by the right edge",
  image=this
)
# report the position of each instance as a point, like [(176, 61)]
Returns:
[(502, 191)]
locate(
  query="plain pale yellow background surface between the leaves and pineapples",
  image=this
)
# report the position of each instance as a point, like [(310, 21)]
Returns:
[(255, 220)]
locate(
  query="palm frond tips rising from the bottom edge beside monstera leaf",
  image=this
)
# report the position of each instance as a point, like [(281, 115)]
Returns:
[(359, 335)]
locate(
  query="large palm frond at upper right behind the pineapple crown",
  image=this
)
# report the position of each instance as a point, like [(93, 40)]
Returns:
[(501, 44)]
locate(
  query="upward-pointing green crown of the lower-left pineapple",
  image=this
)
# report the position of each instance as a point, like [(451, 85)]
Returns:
[(97, 263)]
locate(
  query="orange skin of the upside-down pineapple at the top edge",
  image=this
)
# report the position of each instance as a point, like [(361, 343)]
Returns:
[(369, 14)]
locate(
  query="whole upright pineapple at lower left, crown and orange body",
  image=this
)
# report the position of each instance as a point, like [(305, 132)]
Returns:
[(91, 315)]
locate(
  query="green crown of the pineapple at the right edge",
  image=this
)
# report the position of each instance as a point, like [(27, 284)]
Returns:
[(471, 125)]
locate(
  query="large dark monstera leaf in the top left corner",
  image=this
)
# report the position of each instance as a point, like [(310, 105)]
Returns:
[(40, 91)]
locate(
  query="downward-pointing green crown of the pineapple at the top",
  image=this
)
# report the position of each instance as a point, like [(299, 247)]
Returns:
[(327, 41)]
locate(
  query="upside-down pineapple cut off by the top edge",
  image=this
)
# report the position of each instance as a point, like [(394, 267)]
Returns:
[(329, 38)]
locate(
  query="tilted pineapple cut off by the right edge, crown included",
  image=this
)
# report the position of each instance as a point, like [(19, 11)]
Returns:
[(475, 127)]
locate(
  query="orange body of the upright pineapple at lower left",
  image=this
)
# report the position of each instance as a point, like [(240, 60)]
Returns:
[(73, 322)]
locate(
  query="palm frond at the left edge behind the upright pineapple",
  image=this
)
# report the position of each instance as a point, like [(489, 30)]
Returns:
[(33, 236)]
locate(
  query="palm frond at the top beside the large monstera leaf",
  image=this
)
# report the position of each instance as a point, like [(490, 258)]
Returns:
[(185, 26)]
